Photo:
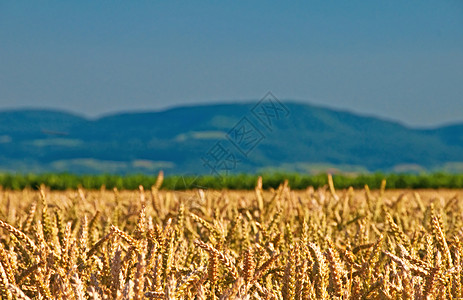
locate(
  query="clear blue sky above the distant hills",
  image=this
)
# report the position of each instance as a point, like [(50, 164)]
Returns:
[(400, 60)]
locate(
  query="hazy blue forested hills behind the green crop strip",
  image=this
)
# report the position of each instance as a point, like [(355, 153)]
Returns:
[(182, 140)]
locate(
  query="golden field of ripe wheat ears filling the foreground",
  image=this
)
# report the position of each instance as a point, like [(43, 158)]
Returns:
[(219, 244)]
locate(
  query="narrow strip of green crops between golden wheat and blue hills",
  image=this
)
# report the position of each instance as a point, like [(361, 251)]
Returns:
[(235, 182)]
